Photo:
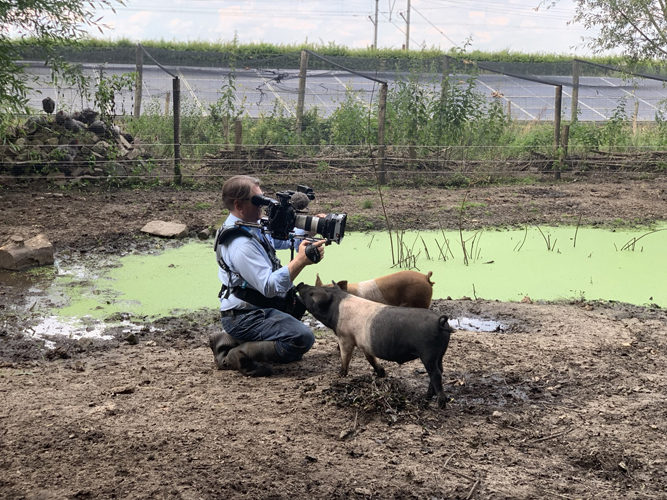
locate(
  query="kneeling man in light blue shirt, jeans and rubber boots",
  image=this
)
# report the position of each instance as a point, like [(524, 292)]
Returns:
[(260, 311)]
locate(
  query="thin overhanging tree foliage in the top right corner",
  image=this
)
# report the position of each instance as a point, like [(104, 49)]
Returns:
[(637, 27)]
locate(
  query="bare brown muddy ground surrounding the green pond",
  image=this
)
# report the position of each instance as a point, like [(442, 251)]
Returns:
[(566, 401)]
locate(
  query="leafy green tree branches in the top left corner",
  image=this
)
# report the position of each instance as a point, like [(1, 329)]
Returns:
[(47, 23)]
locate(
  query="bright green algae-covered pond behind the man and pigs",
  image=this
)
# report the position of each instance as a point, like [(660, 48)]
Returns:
[(543, 263)]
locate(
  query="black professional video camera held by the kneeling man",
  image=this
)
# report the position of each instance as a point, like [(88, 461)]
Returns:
[(283, 215)]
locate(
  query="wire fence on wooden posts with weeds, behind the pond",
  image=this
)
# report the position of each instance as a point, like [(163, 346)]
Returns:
[(207, 115)]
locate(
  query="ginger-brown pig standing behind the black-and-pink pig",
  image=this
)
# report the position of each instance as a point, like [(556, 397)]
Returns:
[(403, 289)]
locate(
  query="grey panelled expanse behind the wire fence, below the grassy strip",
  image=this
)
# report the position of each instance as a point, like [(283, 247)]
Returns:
[(264, 83)]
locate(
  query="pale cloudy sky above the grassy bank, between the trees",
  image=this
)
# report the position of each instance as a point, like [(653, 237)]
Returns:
[(491, 25)]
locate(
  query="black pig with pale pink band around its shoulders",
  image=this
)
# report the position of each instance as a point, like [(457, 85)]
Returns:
[(392, 333)]
